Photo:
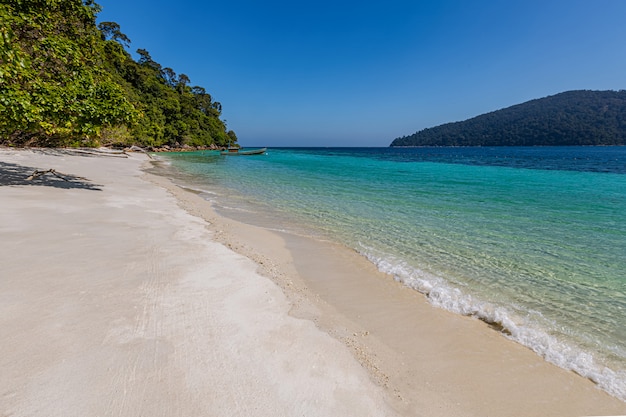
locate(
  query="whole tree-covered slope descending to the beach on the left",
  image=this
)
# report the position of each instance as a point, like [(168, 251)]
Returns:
[(67, 81)]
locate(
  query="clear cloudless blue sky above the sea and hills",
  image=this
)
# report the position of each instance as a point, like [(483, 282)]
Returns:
[(360, 73)]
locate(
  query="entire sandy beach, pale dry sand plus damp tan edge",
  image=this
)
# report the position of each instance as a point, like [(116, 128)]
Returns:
[(126, 295)]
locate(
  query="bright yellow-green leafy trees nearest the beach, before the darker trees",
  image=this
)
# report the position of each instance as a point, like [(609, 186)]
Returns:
[(53, 89)]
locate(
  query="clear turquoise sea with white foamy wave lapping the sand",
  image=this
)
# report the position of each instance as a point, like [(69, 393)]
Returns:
[(530, 240)]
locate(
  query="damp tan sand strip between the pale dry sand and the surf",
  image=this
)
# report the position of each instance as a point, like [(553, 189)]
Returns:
[(378, 319)]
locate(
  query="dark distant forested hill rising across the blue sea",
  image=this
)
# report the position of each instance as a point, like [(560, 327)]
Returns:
[(569, 118)]
